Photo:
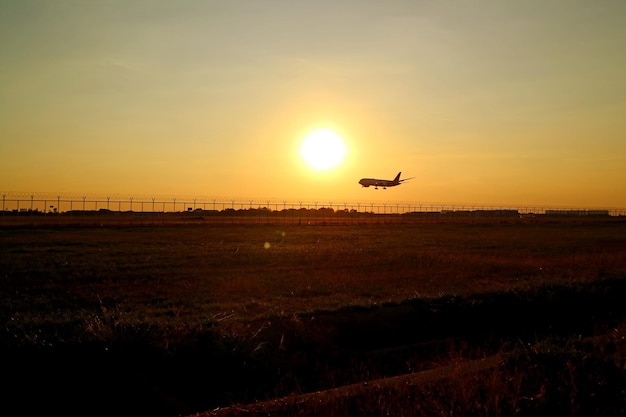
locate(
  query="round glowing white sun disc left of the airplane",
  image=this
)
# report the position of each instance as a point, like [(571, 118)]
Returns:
[(323, 149)]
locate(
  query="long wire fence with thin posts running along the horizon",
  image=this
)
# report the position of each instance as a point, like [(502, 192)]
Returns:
[(33, 204)]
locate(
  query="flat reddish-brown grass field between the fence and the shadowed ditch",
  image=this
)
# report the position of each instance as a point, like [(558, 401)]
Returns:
[(204, 274)]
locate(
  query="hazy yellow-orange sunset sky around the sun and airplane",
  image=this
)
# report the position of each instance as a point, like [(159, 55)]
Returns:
[(483, 102)]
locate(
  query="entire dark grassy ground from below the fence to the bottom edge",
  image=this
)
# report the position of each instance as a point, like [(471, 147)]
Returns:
[(168, 320)]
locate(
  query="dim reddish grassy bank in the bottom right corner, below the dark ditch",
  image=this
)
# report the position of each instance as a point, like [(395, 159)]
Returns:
[(554, 377)]
